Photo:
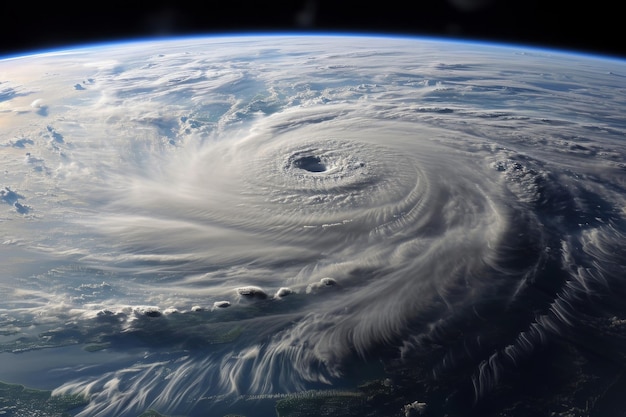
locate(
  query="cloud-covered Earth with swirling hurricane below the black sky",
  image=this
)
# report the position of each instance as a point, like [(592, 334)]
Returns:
[(305, 225)]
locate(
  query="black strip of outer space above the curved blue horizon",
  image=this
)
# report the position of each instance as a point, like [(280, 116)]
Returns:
[(578, 26)]
